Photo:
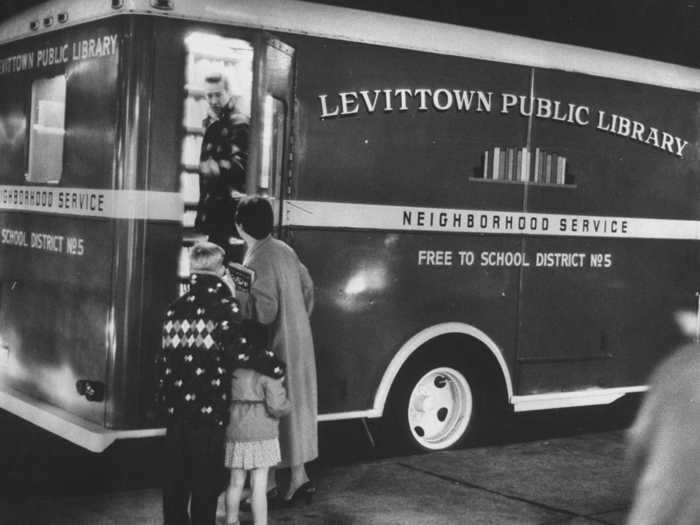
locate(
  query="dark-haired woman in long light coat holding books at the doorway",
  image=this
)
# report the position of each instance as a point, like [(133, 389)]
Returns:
[(281, 297)]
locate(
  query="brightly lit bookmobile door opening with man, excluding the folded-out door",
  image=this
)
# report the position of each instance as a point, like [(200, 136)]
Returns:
[(215, 146)]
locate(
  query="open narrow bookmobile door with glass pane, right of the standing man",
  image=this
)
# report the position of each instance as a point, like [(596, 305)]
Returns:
[(271, 141)]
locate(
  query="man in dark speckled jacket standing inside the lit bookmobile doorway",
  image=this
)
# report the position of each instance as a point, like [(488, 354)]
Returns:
[(222, 167)]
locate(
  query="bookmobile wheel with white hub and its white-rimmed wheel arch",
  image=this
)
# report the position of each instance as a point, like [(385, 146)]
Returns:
[(483, 368)]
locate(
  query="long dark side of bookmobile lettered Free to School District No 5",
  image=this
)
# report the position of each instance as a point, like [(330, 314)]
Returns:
[(598, 318)]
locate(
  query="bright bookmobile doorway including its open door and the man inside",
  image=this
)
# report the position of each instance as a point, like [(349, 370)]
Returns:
[(237, 127)]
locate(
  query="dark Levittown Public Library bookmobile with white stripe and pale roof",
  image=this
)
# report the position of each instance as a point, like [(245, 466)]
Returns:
[(492, 222)]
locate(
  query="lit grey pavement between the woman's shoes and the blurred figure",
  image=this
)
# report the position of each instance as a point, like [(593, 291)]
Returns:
[(567, 480)]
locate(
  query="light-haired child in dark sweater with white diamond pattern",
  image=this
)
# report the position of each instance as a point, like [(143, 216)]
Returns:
[(202, 332)]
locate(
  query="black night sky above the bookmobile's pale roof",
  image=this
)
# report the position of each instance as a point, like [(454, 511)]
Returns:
[(664, 30)]
